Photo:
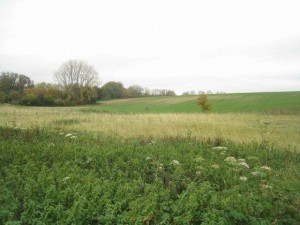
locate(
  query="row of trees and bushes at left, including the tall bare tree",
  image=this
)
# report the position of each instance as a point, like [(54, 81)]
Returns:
[(76, 83)]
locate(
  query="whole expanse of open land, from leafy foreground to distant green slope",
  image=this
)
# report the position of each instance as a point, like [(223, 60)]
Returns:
[(85, 165)]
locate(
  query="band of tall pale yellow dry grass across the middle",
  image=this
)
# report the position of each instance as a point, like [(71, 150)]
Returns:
[(283, 130)]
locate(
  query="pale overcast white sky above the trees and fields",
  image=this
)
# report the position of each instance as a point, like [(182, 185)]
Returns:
[(231, 46)]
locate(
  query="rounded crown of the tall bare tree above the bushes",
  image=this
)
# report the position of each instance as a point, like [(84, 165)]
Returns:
[(76, 72)]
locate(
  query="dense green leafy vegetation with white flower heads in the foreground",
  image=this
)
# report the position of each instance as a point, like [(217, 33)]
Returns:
[(49, 177)]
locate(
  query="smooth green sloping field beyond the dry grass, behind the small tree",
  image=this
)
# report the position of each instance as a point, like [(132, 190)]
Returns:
[(276, 102)]
